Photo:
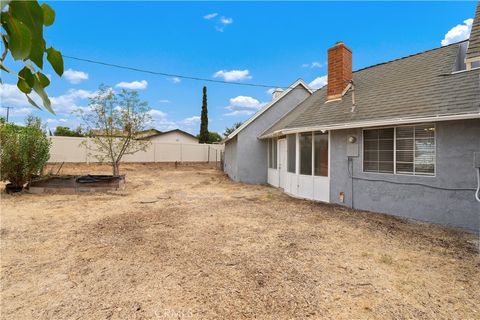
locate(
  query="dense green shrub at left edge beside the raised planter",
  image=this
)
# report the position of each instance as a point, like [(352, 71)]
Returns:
[(23, 153)]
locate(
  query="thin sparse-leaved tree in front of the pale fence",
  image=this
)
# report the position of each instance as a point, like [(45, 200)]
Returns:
[(113, 121)]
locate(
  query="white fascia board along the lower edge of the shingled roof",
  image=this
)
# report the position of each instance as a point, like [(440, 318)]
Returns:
[(375, 123)]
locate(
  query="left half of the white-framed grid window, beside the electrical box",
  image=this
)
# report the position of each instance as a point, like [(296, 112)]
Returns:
[(378, 150)]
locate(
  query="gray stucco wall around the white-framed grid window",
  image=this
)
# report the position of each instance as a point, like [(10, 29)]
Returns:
[(455, 143)]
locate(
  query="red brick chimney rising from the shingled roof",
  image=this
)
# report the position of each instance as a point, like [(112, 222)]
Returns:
[(339, 70)]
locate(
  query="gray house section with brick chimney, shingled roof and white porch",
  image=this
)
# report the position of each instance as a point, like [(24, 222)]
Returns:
[(397, 137)]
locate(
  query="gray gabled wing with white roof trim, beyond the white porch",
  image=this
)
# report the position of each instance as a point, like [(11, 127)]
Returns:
[(245, 154)]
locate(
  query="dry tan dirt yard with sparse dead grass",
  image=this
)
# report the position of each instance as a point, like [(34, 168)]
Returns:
[(212, 248)]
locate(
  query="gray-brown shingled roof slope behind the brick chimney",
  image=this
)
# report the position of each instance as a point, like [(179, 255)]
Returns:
[(415, 88)]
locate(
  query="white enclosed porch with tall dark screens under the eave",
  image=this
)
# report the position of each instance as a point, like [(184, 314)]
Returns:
[(299, 164)]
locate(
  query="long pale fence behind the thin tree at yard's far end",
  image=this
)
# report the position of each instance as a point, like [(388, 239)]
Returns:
[(71, 149)]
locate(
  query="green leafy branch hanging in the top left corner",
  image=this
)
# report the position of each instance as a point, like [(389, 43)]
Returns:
[(22, 36)]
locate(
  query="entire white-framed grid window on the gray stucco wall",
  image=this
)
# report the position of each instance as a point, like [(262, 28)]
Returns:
[(406, 150)]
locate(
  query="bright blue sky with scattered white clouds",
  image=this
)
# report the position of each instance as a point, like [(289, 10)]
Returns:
[(251, 42)]
